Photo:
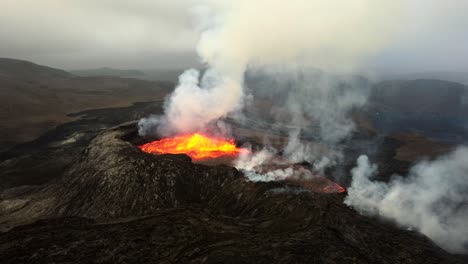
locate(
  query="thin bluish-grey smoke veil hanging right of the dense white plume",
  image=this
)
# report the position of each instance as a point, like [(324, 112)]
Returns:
[(312, 100)]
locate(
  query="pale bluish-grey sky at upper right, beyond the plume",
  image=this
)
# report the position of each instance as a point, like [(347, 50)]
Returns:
[(433, 37)]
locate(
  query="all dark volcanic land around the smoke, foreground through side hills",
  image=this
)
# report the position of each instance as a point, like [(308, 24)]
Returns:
[(83, 192)]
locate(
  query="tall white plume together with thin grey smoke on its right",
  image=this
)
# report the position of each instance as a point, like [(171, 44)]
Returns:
[(279, 44)]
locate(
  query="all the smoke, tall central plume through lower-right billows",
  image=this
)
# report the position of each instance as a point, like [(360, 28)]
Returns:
[(283, 41)]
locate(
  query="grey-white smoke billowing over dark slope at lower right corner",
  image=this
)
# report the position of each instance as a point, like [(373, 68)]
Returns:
[(431, 199)]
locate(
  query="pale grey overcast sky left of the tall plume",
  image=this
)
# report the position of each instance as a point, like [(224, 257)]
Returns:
[(74, 34)]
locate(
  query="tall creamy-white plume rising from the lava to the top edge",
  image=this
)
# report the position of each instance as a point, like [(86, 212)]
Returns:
[(239, 34)]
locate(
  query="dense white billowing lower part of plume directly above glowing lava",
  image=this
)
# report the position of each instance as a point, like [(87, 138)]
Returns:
[(191, 108)]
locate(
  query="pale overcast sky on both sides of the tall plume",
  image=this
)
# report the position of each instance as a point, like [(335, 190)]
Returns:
[(77, 34)]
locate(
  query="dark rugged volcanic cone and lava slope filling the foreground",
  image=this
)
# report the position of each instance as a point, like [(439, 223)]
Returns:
[(118, 204)]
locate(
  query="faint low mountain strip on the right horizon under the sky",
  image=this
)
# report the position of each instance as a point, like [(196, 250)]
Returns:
[(459, 77)]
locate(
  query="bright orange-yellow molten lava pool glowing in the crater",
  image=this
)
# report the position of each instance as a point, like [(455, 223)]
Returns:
[(197, 146)]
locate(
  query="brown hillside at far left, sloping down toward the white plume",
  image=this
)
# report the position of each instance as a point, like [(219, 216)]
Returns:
[(36, 98)]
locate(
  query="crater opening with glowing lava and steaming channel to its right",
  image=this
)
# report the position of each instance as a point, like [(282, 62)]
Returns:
[(217, 150)]
